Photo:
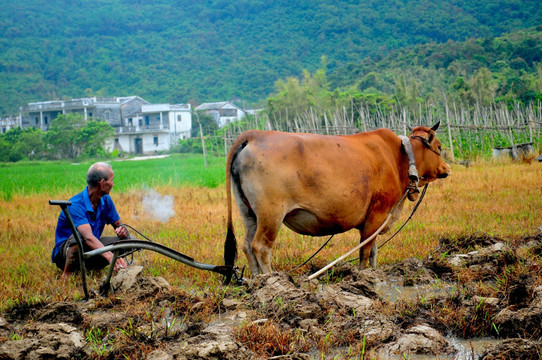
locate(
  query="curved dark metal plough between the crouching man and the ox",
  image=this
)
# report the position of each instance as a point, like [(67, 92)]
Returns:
[(227, 270)]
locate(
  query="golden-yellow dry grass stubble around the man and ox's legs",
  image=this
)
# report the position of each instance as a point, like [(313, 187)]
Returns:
[(500, 199)]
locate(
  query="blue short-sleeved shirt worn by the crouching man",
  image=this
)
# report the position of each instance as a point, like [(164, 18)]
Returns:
[(81, 212)]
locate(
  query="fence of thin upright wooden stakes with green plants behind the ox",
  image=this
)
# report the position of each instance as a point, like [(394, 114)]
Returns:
[(466, 132)]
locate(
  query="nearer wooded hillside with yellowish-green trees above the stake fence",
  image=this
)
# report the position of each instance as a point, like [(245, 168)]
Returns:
[(474, 73)]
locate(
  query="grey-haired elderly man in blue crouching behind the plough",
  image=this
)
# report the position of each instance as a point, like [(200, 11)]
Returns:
[(91, 210)]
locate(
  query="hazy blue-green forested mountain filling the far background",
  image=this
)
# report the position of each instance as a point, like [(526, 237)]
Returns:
[(210, 50)]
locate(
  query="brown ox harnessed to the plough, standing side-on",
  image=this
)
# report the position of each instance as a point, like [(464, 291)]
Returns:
[(321, 185)]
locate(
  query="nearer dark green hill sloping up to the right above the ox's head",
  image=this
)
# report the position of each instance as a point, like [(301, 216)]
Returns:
[(508, 67)]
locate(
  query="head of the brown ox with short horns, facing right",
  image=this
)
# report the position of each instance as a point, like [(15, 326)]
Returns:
[(427, 151)]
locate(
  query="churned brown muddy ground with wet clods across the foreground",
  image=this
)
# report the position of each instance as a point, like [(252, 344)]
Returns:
[(472, 298)]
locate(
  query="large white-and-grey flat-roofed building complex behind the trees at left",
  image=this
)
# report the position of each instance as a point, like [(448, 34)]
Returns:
[(140, 127)]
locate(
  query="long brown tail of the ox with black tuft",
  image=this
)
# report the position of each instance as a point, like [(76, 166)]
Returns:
[(230, 245)]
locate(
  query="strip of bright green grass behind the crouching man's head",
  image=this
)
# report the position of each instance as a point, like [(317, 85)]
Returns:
[(54, 177)]
